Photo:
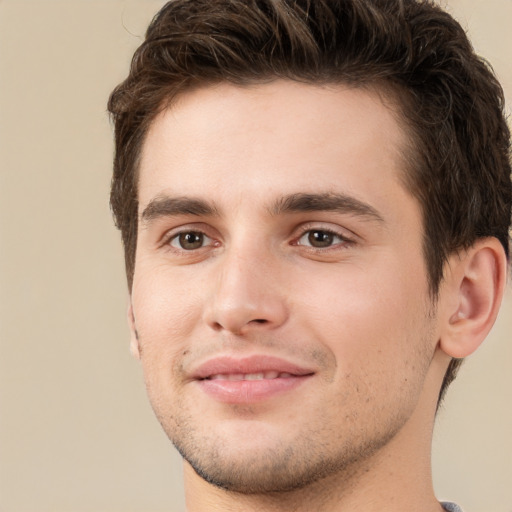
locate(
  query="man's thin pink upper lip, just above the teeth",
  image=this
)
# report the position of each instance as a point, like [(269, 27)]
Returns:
[(225, 365)]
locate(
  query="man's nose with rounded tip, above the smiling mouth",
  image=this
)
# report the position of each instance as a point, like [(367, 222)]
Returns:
[(247, 295)]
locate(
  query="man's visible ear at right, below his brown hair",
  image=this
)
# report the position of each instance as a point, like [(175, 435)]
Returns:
[(475, 283)]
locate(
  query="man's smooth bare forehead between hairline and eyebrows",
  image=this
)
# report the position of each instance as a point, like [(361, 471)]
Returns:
[(280, 137)]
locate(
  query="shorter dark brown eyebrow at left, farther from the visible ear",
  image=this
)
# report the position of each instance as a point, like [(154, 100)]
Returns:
[(165, 206)]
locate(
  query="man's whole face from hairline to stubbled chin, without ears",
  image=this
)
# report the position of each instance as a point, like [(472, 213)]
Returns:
[(280, 293)]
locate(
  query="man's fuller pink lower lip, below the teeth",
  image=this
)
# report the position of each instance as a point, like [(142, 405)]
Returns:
[(249, 391)]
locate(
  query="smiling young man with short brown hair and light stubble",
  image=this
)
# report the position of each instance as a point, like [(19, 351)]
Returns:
[(315, 201)]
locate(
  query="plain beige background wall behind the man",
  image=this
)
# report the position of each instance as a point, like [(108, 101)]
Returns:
[(76, 432)]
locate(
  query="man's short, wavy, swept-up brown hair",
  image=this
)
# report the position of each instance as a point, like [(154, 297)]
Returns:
[(449, 99)]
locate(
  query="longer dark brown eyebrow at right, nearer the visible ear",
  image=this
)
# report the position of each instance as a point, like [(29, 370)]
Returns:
[(300, 202)]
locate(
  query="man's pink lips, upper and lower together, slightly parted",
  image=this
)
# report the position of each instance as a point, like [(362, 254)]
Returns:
[(222, 389)]
